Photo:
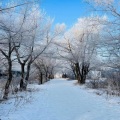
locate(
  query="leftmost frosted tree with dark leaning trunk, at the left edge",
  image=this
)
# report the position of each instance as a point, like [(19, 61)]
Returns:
[(9, 34)]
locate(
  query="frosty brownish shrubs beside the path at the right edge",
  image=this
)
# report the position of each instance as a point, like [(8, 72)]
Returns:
[(111, 85)]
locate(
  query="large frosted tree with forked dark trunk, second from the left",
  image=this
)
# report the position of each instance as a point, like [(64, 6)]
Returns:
[(34, 40)]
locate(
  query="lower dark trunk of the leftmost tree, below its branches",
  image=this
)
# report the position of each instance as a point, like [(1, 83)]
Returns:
[(9, 79)]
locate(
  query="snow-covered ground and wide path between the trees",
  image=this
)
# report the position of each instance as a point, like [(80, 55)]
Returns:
[(59, 100)]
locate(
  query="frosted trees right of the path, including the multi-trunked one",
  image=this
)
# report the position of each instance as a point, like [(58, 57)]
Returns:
[(93, 42)]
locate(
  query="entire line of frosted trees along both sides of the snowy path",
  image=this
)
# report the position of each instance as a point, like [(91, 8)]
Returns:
[(28, 38)]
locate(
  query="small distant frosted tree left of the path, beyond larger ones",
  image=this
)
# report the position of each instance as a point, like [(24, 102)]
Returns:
[(45, 67)]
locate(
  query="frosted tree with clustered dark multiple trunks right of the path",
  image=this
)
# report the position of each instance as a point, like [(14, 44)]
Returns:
[(79, 45)]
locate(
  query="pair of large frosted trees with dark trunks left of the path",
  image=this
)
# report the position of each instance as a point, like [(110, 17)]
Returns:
[(25, 34)]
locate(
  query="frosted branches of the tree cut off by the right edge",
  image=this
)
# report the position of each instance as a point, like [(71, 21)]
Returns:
[(111, 34)]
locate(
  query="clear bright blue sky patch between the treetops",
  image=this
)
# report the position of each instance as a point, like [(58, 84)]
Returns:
[(65, 11)]
